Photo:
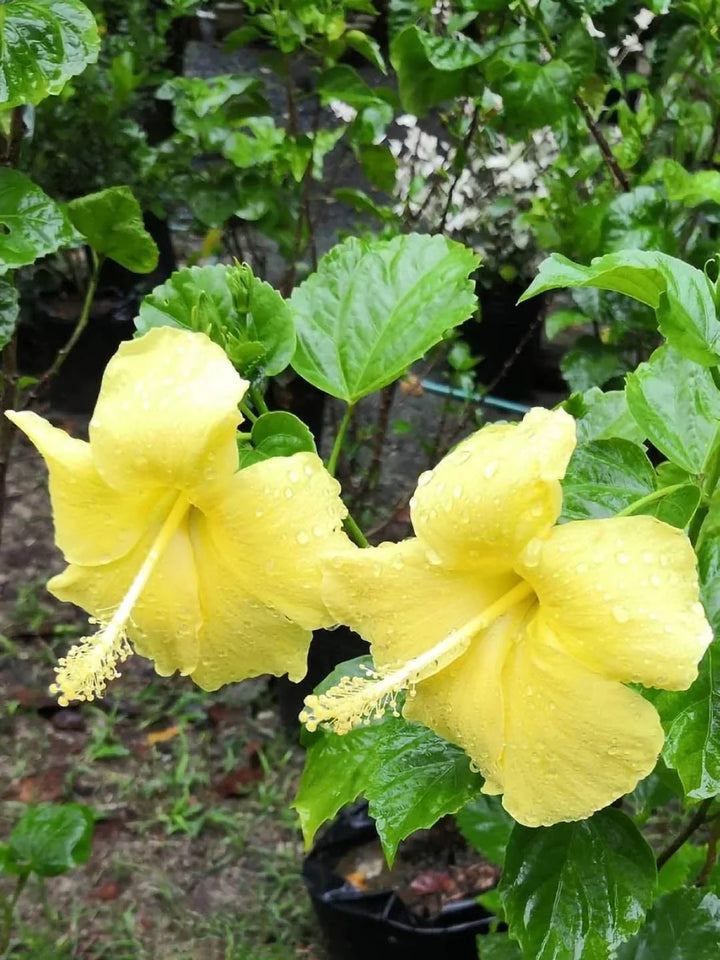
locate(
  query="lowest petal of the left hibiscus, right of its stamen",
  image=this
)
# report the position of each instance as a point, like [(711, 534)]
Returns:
[(241, 635)]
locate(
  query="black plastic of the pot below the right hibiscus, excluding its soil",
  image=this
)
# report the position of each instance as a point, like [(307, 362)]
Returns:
[(356, 925)]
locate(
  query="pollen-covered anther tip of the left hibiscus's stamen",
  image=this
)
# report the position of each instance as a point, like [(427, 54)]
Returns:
[(85, 672)]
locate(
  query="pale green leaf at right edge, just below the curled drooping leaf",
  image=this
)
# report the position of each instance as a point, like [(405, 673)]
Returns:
[(677, 405)]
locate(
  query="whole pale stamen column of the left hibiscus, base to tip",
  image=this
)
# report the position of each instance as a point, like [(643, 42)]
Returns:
[(84, 673)]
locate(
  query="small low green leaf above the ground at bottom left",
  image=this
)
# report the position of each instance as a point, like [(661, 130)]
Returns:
[(50, 839)]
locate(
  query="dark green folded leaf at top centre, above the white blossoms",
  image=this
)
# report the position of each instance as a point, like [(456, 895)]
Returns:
[(432, 69)]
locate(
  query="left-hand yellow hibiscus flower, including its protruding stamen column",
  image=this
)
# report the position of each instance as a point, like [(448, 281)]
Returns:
[(205, 569)]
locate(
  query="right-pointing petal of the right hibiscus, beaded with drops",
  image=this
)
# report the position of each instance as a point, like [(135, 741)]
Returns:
[(622, 595)]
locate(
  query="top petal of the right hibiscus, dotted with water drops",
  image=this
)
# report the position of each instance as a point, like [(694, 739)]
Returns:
[(496, 491)]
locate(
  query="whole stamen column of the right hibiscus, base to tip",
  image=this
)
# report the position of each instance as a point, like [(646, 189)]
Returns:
[(356, 700)]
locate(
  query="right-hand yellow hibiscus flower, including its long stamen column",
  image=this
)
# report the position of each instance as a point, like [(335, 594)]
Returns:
[(515, 637)]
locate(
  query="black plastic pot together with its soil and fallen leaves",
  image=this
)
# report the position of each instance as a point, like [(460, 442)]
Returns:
[(423, 908)]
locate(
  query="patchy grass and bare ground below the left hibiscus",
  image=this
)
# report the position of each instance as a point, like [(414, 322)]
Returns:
[(179, 870)]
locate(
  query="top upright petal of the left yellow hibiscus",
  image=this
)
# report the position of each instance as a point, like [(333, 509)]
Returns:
[(167, 412)]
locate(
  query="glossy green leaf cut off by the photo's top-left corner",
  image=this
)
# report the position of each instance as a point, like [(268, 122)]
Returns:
[(42, 44)]
